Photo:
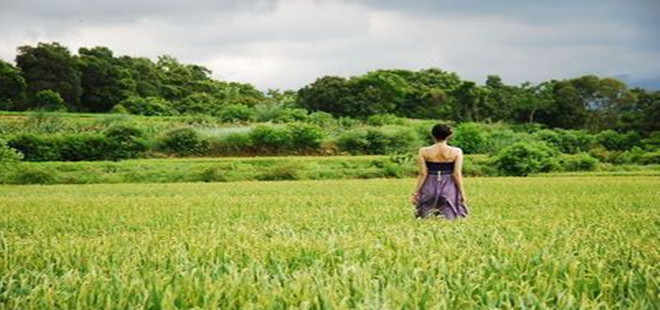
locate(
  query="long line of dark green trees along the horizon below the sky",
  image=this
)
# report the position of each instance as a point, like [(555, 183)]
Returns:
[(48, 76)]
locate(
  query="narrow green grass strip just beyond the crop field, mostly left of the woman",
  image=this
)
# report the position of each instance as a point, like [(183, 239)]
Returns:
[(215, 169)]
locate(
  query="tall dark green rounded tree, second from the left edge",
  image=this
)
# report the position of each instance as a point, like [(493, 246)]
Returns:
[(50, 66)]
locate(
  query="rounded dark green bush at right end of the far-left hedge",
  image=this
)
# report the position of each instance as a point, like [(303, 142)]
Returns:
[(125, 142)]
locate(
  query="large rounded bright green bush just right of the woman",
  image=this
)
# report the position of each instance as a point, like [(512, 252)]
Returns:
[(523, 158)]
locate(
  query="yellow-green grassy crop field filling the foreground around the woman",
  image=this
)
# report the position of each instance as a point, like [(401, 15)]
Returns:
[(560, 242)]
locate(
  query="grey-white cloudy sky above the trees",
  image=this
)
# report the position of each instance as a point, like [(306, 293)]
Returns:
[(289, 43)]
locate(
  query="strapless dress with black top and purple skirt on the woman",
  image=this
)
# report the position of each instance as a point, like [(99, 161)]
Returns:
[(439, 195)]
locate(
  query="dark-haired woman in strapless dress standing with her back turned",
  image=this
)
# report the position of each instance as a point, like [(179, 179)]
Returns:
[(439, 189)]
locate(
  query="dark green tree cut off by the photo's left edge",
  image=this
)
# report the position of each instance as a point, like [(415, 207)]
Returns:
[(12, 86)]
